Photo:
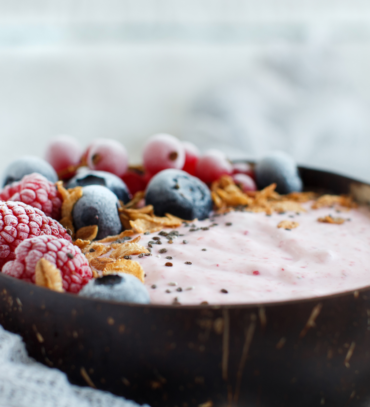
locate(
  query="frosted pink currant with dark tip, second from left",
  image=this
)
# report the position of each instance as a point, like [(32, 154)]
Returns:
[(107, 155)]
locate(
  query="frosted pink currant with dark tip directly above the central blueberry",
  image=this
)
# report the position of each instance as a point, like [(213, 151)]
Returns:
[(163, 151)]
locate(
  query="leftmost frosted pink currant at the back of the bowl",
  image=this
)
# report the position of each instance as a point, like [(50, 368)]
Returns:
[(64, 154)]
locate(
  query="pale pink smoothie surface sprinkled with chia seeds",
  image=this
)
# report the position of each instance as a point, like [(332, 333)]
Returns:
[(245, 258)]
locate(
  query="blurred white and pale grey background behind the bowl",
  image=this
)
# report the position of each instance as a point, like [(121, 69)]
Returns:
[(251, 76)]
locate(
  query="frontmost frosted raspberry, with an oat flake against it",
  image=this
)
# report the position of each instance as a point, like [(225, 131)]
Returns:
[(62, 253)]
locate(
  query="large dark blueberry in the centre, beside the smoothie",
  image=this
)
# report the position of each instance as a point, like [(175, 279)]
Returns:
[(180, 194)]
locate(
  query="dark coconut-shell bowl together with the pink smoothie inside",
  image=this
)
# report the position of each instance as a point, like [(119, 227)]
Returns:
[(289, 337)]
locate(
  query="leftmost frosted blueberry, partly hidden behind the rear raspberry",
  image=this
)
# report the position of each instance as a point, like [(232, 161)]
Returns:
[(17, 169)]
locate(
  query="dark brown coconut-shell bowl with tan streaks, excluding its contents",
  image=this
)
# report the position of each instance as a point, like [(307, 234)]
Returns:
[(297, 353)]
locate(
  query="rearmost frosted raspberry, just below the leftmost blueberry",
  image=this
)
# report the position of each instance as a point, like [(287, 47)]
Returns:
[(35, 190)]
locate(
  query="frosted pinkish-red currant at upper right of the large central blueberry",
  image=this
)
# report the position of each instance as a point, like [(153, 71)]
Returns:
[(212, 165)]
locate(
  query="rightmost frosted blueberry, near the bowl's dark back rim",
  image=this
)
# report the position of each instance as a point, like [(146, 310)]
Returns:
[(278, 167)]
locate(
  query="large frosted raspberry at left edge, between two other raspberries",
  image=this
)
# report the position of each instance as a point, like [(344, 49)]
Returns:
[(19, 222)]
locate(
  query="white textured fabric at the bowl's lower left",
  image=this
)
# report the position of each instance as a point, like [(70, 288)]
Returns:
[(26, 383)]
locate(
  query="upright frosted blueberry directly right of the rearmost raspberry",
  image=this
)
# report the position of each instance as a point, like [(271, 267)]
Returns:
[(98, 206)]
